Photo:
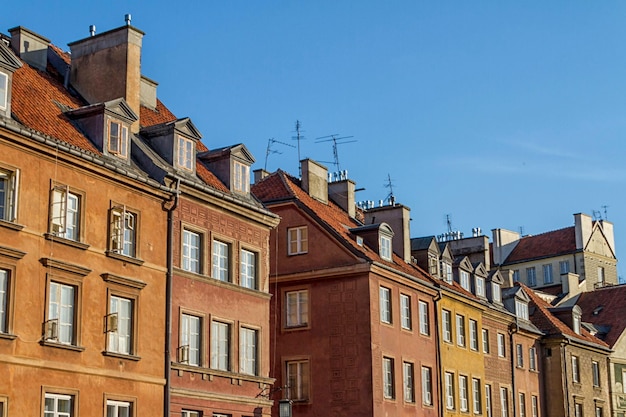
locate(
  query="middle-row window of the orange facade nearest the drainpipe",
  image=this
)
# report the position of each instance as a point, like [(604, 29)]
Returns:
[(120, 325)]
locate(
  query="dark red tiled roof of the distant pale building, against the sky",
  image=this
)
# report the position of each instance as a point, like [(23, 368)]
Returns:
[(546, 244)]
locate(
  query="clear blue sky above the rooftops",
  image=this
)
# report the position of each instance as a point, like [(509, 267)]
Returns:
[(499, 114)]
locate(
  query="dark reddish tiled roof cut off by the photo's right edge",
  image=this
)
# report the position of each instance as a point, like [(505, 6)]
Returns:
[(605, 307)]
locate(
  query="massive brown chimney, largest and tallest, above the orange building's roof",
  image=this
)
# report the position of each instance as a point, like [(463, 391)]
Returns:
[(107, 66)]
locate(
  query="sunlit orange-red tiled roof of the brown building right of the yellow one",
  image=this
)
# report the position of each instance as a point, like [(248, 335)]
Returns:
[(550, 324)]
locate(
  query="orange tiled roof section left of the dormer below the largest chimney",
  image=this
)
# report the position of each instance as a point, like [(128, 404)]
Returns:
[(36, 101)]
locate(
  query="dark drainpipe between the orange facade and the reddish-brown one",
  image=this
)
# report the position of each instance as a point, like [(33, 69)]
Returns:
[(168, 298)]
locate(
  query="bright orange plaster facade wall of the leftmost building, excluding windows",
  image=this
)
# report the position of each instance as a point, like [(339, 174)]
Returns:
[(30, 367)]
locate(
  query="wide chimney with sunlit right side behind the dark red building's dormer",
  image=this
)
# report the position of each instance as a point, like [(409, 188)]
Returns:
[(398, 217)]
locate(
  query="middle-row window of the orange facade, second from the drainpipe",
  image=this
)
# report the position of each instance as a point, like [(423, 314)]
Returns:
[(61, 313)]
